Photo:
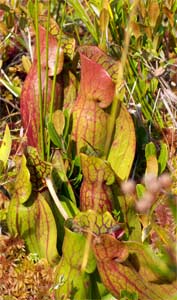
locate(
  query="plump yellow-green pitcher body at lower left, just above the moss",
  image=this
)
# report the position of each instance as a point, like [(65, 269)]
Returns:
[(35, 223)]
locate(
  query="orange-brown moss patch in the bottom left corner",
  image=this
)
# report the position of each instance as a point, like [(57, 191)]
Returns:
[(21, 277)]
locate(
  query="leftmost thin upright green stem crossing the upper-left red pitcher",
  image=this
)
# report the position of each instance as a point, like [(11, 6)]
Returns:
[(39, 81)]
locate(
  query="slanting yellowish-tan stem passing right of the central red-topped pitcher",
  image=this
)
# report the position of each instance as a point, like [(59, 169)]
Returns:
[(116, 100)]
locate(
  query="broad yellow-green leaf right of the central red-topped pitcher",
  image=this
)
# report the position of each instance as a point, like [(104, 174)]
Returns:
[(122, 151)]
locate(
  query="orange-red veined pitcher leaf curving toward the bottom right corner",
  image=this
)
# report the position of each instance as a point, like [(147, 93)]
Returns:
[(117, 272)]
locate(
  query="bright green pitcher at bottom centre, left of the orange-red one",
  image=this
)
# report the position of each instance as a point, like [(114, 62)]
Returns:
[(75, 283)]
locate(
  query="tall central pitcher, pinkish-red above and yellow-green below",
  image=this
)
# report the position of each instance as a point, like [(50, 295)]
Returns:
[(96, 92)]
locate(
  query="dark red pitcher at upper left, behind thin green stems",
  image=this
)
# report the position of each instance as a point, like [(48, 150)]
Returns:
[(29, 100)]
